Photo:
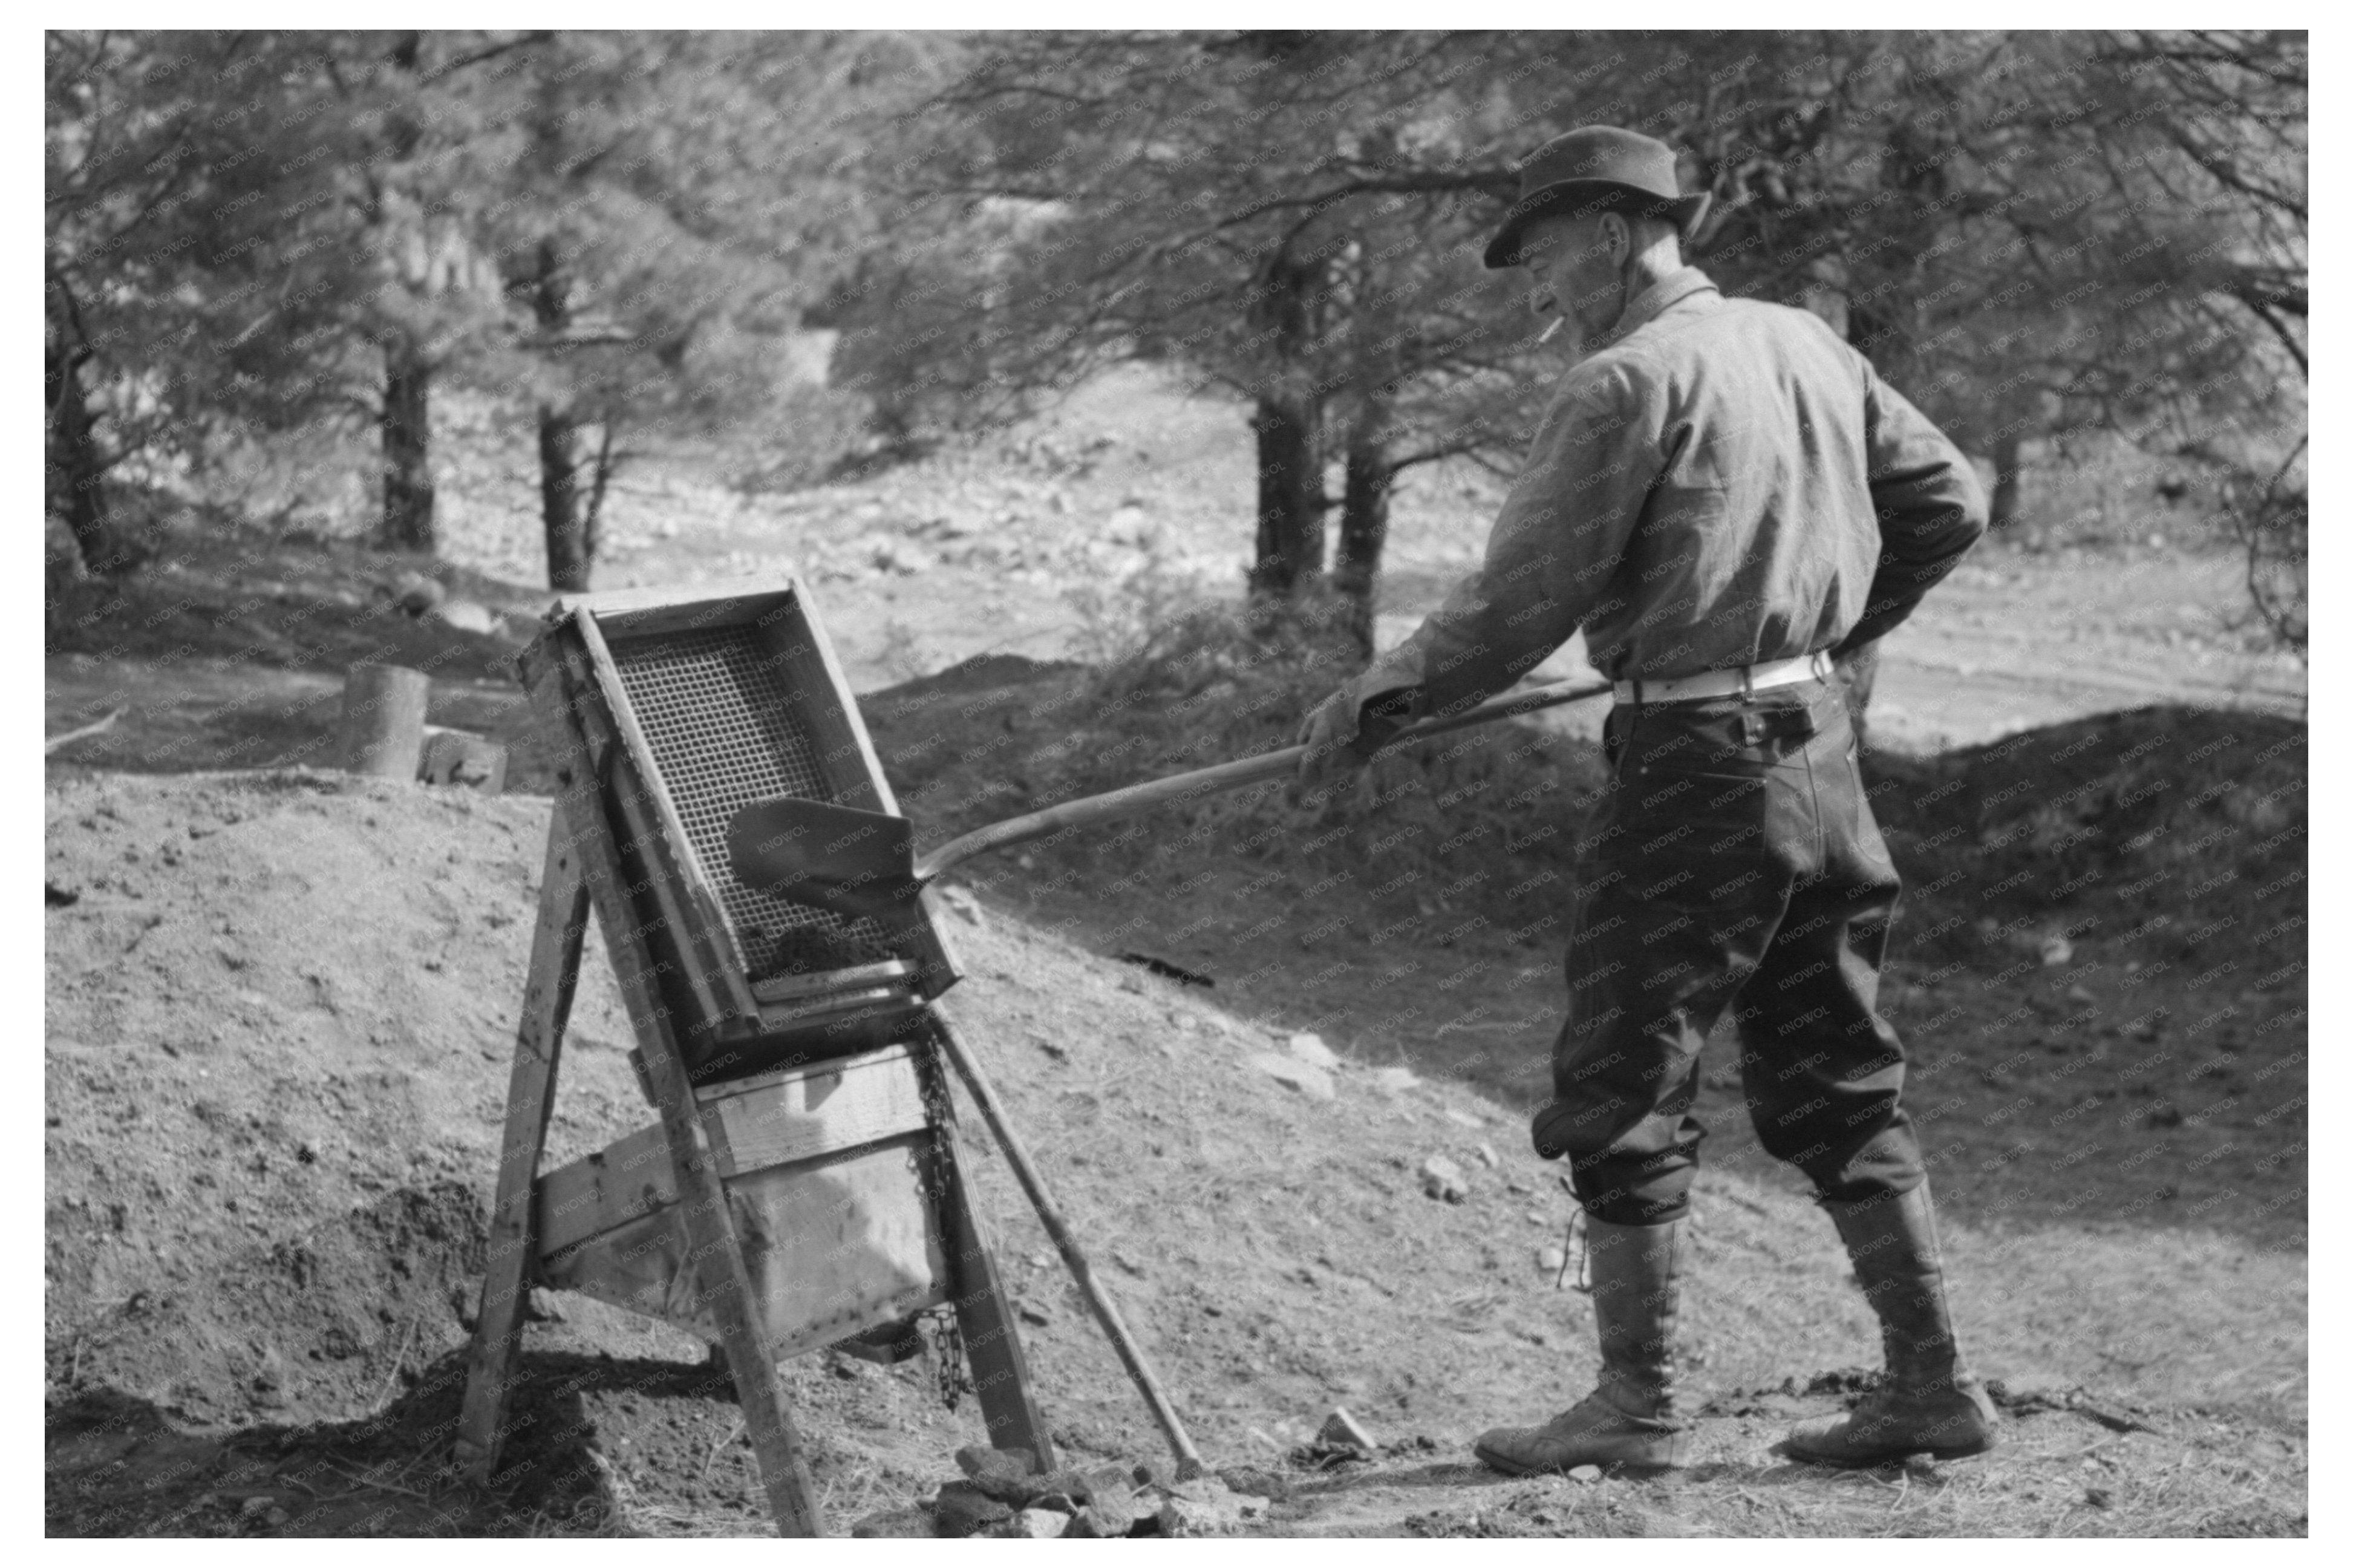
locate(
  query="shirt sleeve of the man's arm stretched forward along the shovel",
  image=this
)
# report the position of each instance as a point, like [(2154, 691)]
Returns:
[(1549, 559)]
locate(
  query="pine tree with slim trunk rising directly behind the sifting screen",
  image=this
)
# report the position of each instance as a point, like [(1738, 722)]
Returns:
[(669, 213)]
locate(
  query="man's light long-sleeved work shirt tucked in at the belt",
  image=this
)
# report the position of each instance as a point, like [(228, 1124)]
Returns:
[(1719, 484)]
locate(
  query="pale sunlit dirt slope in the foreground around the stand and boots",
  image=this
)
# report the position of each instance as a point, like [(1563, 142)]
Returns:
[(279, 1021)]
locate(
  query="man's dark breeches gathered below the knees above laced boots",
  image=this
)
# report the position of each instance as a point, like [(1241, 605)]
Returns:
[(1731, 868)]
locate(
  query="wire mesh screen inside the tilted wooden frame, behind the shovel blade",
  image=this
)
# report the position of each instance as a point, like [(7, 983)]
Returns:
[(719, 715)]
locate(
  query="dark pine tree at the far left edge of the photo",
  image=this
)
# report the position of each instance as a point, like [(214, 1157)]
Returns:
[(187, 270)]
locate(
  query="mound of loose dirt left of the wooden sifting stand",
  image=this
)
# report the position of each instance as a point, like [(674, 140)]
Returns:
[(279, 1021)]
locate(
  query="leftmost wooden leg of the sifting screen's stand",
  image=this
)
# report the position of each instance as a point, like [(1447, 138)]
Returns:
[(531, 1098)]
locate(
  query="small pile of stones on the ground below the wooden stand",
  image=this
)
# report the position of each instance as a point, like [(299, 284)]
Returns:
[(1004, 1494)]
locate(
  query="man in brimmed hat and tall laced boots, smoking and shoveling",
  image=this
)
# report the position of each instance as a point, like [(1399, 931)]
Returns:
[(1726, 498)]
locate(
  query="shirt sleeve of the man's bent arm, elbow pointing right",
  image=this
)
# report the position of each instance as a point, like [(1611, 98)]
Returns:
[(1928, 503)]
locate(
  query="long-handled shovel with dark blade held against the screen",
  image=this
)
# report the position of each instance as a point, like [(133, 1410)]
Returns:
[(860, 863)]
